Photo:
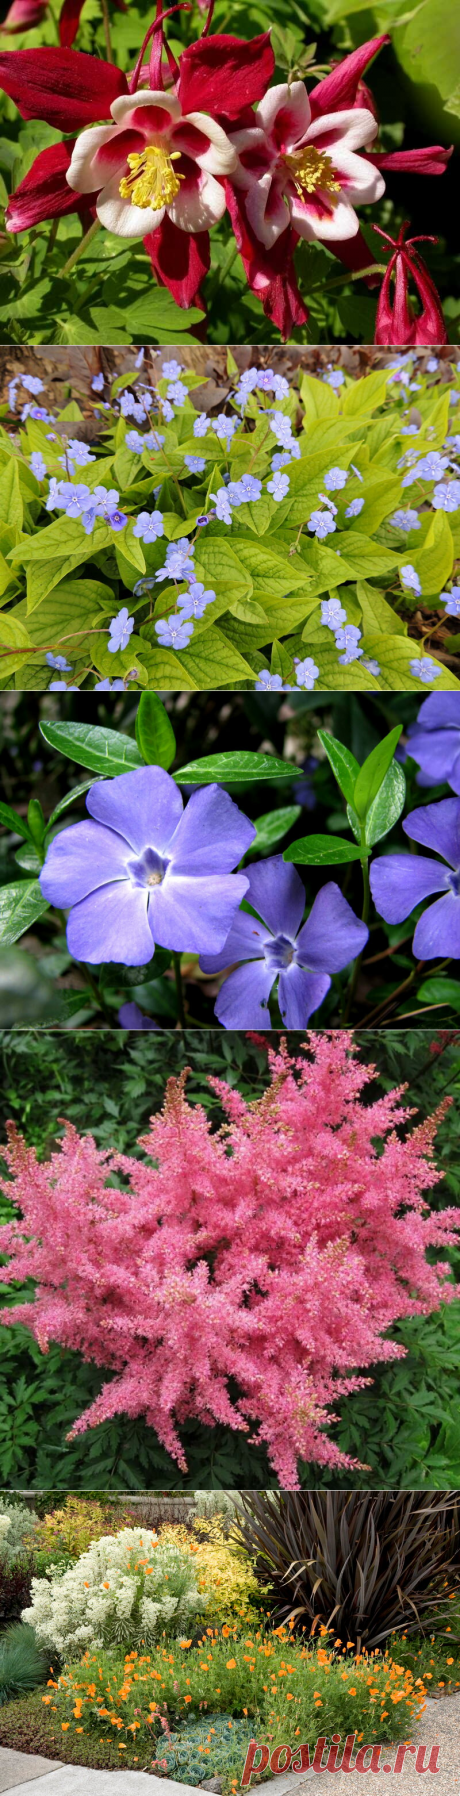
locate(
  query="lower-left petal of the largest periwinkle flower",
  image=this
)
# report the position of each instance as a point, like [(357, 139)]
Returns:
[(112, 926)]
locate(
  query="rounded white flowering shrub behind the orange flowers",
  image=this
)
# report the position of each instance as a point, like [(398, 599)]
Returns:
[(127, 1589)]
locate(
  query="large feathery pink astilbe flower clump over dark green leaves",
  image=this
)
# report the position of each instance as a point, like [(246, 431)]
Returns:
[(274, 1253)]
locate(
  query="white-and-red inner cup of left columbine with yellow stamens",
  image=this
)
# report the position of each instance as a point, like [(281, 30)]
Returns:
[(152, 161)]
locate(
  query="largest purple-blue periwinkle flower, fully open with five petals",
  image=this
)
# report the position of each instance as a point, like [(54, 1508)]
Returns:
[(145, 870)]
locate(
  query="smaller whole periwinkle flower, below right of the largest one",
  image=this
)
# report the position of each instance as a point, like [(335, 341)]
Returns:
[(279, 947)]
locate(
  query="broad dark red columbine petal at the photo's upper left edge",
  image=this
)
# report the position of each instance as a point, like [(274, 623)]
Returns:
[(62, 87)]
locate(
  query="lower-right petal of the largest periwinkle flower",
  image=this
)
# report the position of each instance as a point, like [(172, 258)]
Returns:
[(195, 915)]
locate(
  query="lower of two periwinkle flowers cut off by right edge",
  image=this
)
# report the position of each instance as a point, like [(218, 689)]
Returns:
[(400, 883)]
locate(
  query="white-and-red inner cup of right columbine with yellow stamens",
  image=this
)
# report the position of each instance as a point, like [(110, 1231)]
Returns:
[(305, 172)]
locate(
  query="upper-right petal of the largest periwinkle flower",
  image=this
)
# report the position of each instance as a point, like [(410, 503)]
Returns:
[(213, 834)]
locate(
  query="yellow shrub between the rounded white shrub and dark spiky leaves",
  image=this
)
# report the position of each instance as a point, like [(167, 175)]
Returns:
[(226, 1578)]
